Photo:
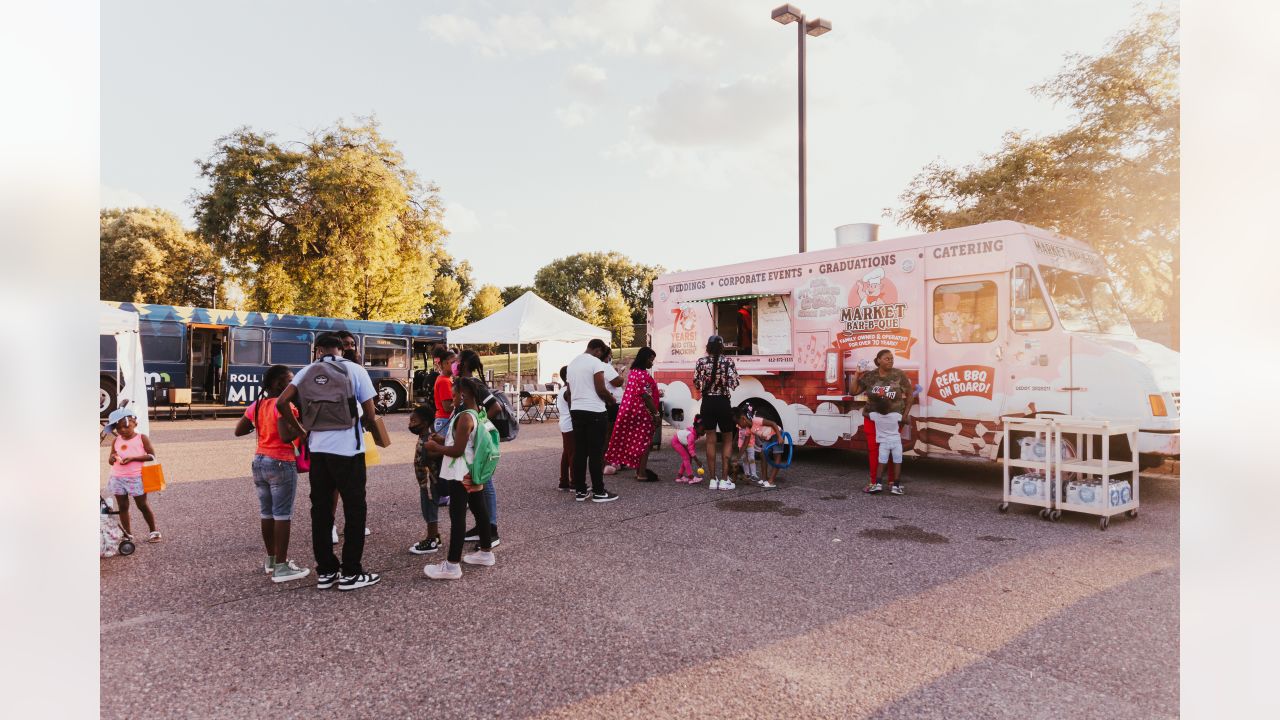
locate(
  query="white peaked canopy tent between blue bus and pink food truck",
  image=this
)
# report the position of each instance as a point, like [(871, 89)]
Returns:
[(533, 321)]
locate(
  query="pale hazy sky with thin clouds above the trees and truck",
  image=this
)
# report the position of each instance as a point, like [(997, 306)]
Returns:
[(662, 130)]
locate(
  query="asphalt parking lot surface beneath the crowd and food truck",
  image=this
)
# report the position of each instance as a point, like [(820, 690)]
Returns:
[(808, 601)]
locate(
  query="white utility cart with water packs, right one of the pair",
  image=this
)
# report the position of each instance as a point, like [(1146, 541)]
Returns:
[(1094, 489)]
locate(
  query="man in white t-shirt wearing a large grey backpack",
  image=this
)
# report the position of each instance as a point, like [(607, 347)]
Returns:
[(337, 464)]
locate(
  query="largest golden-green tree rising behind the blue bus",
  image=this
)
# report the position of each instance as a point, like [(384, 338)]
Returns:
[(333, 226)]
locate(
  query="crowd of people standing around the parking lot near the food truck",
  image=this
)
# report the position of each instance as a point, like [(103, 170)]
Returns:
[(322, 420)]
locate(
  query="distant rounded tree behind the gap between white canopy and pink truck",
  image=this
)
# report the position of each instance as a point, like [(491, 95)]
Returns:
[(561, 281)]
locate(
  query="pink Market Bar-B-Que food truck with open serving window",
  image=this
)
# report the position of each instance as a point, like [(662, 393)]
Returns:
[(991, 321)]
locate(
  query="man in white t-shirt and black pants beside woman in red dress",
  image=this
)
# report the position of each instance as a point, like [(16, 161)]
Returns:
[(589, 402)]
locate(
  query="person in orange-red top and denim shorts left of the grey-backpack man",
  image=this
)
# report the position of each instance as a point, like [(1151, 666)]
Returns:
[(276, 475)]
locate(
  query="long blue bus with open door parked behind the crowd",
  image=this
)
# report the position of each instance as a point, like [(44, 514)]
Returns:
[(222, 354)]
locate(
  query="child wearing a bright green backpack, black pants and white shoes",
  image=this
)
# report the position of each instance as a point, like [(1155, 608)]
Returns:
[(470, 450)]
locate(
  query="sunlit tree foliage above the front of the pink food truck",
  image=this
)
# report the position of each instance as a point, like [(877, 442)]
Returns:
[(1110, 180)]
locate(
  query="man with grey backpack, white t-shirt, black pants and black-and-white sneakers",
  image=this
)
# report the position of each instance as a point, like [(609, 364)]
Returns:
[(337, 457)]
